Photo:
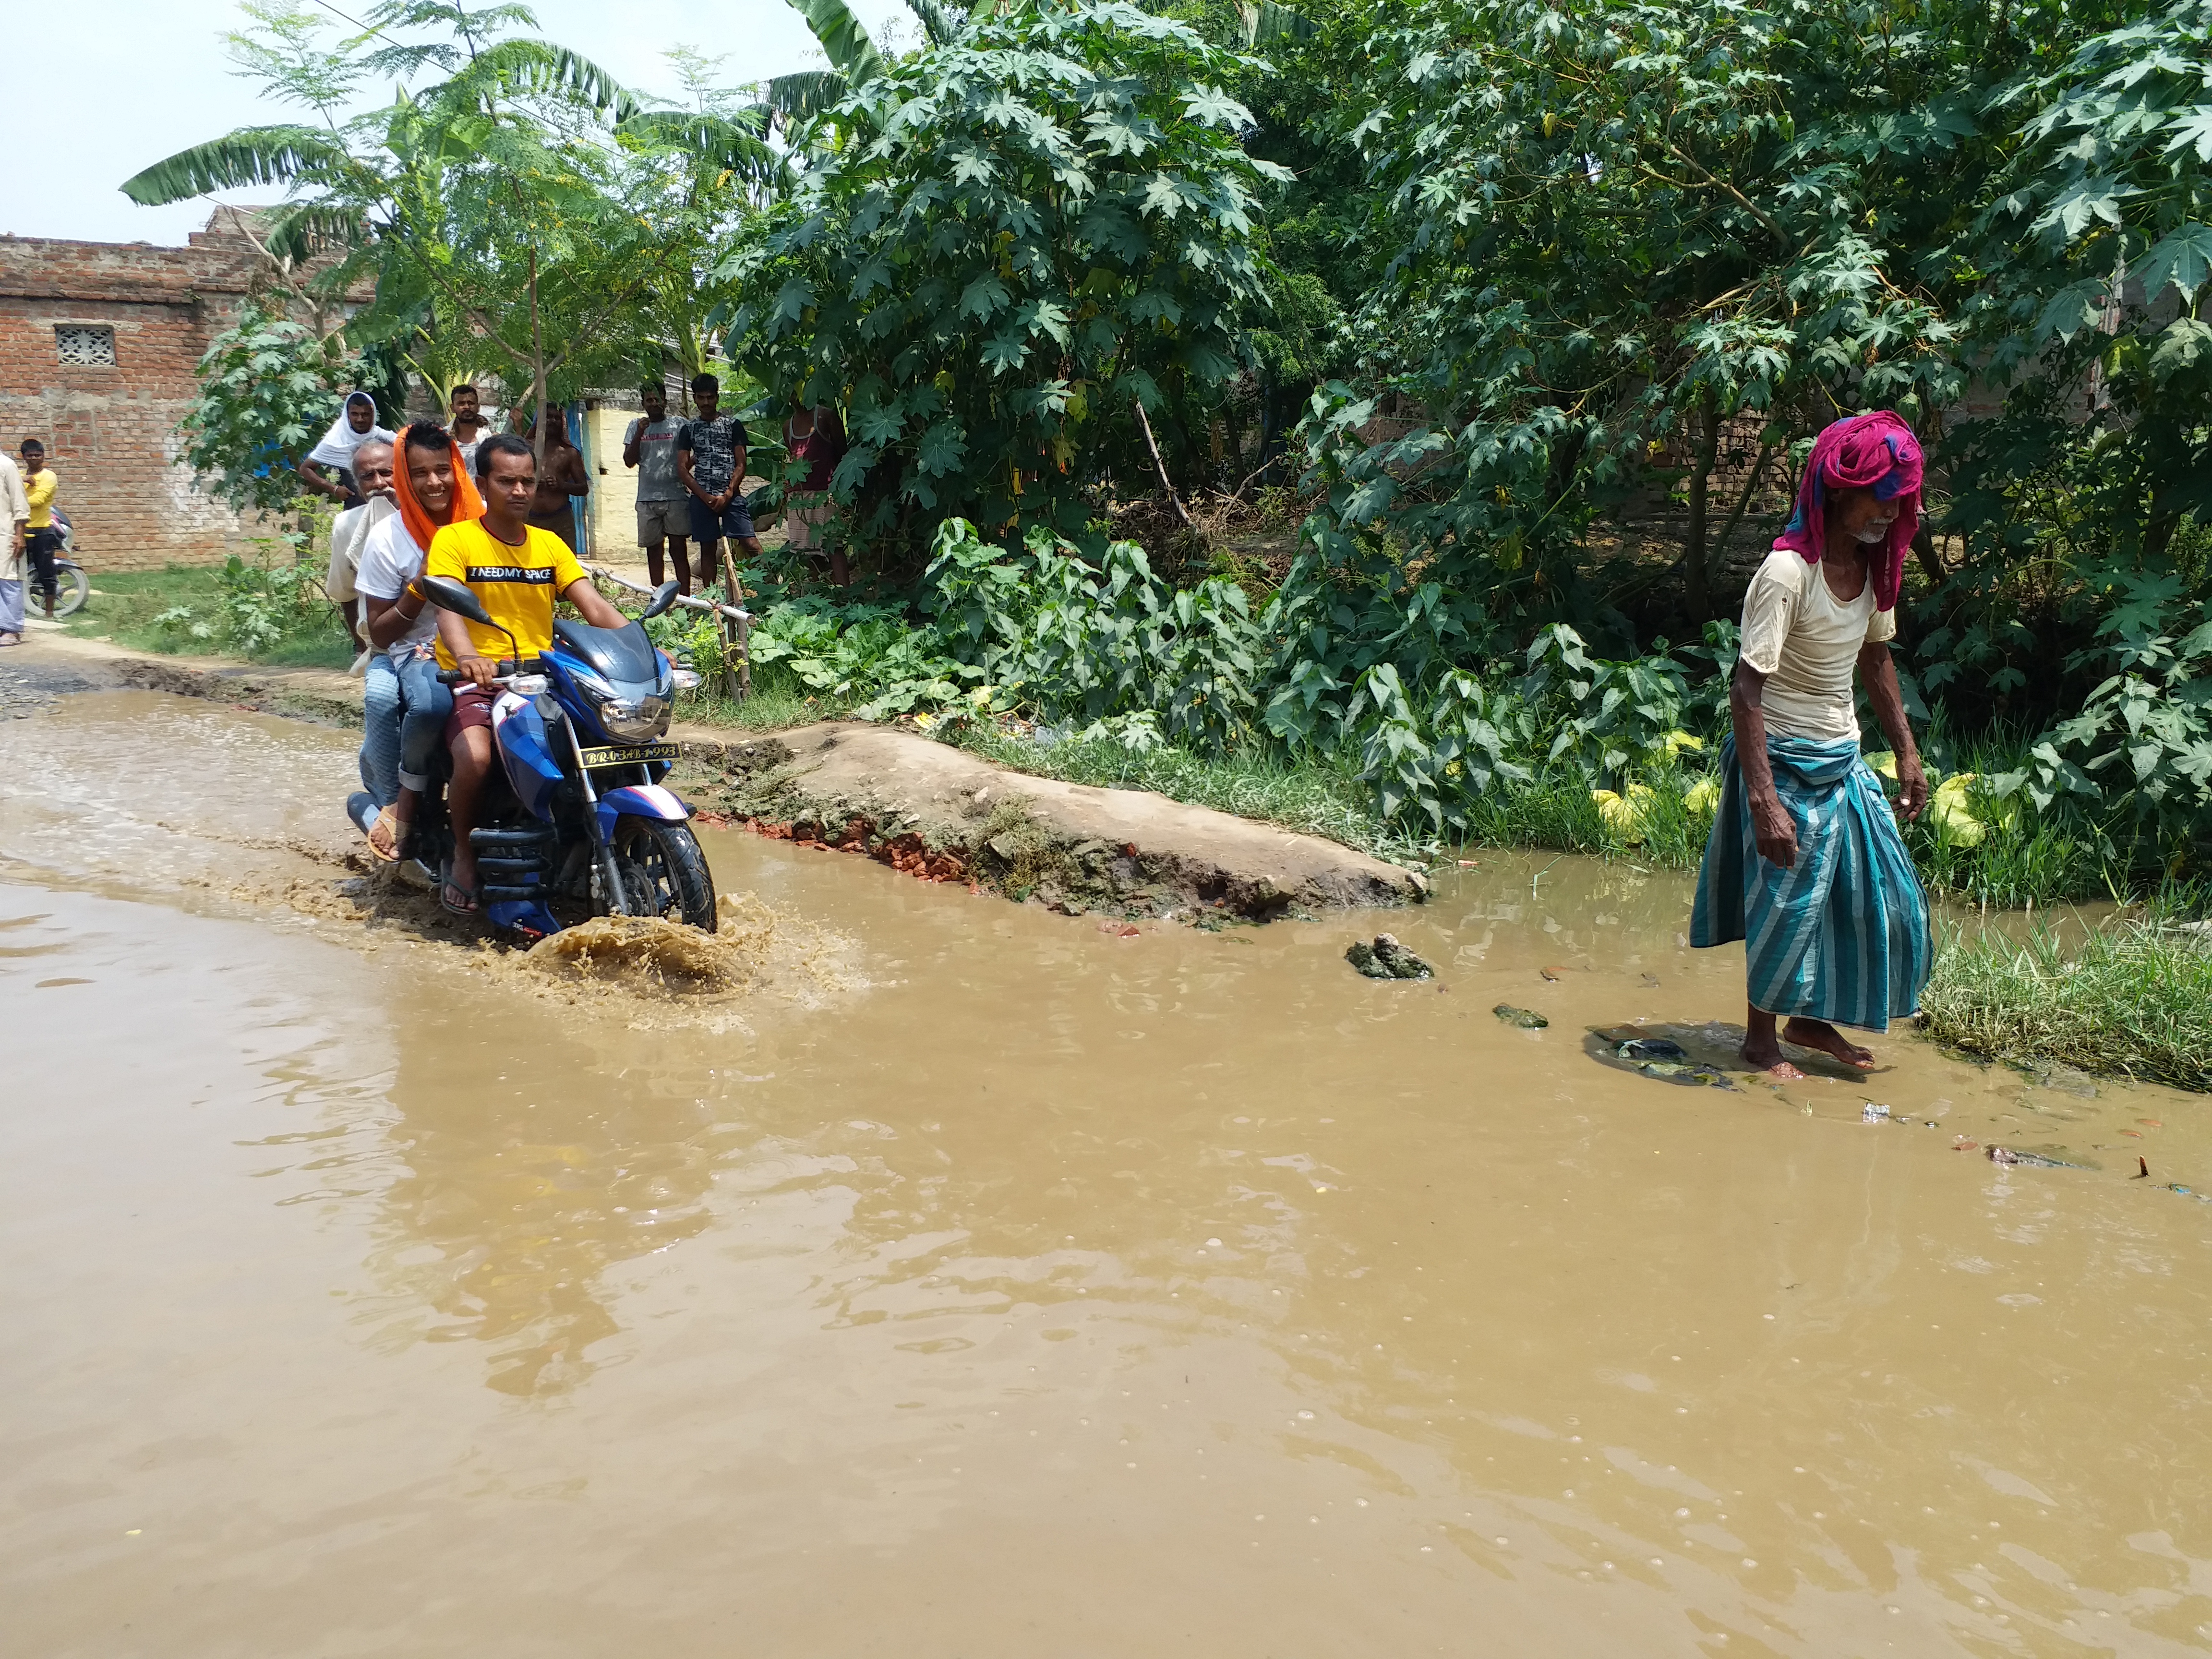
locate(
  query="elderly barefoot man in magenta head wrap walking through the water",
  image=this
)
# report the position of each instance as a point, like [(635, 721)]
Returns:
[(1806, 864)]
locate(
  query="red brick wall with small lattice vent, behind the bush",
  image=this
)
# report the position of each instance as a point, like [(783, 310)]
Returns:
[(112, 432)]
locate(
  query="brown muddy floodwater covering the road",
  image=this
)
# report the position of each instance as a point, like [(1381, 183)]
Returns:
[(977, 1282)]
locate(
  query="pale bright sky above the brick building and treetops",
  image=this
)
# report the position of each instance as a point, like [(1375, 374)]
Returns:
[(154, 79)]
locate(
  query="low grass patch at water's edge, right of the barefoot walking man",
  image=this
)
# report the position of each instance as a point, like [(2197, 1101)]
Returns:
[(2133, 1001)]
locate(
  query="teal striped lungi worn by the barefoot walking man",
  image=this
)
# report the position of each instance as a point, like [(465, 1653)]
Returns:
[(1839, 937)]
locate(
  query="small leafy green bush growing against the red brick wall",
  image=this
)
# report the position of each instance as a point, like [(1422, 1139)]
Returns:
[(267, 393)]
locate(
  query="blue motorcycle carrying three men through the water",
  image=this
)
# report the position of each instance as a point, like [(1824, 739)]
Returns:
[(574, 817)]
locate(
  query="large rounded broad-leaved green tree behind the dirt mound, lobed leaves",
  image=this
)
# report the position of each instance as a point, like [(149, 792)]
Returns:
[(1008, 244)]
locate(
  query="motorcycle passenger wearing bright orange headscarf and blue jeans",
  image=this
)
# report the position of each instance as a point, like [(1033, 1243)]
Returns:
[(432, 492)]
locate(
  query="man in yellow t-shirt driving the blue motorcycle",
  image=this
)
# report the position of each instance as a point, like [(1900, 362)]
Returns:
[(519, 574)]
